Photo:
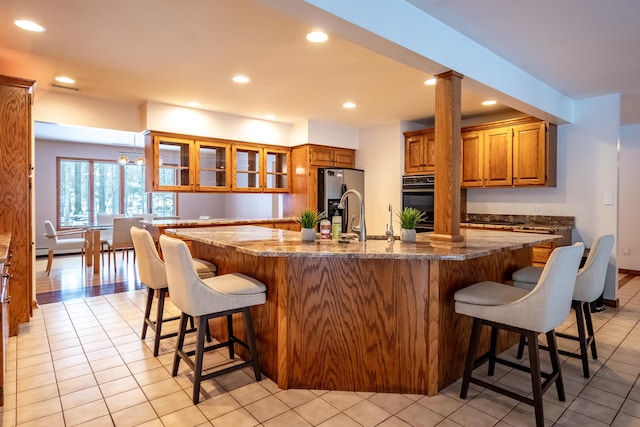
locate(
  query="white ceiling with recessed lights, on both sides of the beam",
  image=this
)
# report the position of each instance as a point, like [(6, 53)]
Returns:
[(174, 52)]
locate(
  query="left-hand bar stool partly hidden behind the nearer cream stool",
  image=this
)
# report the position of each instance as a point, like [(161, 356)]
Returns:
[(153, 274)]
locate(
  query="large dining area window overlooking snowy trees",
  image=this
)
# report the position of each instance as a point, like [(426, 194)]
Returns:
[(88, 188)]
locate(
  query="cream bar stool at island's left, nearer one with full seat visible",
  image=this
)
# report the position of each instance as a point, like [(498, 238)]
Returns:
[(218, 296)]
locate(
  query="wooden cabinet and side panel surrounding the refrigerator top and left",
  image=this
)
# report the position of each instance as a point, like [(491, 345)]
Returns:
[(305, 161)]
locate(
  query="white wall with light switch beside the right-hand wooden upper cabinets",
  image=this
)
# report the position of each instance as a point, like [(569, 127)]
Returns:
[(587, 168)]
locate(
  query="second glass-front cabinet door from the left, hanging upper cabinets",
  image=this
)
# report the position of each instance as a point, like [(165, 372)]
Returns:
[(213, 166)]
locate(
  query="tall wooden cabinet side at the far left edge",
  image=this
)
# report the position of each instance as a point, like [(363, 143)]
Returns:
[(16, 167)]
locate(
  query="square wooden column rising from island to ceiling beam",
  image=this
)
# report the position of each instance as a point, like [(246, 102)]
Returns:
[(447, 176)]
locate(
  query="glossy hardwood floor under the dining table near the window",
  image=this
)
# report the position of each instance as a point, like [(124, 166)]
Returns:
[(70, 278)]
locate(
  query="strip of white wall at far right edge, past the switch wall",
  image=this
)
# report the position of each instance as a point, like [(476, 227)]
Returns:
[(629, 207)]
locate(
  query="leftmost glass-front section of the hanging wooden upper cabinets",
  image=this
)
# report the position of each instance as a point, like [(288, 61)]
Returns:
[(173, 162)]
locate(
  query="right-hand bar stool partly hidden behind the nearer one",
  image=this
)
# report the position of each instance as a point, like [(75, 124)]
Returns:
[(589, 286)]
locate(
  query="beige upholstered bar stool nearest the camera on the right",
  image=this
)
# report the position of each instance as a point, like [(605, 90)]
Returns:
[(525, 312)]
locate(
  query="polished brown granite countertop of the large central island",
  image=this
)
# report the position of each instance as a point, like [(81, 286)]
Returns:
[(271, 242)]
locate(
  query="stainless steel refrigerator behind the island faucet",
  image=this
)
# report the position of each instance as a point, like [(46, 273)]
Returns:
[(332, 184)]
